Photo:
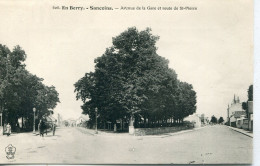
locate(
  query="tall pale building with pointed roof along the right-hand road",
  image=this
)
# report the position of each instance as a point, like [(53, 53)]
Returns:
[(235, 111)]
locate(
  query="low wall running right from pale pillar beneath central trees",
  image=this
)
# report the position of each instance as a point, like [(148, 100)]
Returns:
[(160, 130)]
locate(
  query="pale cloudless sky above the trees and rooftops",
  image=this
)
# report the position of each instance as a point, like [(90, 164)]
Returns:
[(211, 48)]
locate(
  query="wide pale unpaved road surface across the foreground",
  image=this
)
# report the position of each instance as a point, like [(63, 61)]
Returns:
[(211, 144)]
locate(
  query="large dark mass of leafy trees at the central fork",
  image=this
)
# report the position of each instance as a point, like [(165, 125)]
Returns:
[(131, 81)]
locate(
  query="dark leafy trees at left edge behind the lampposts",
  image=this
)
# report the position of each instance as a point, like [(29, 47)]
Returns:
[(21, 91)]
